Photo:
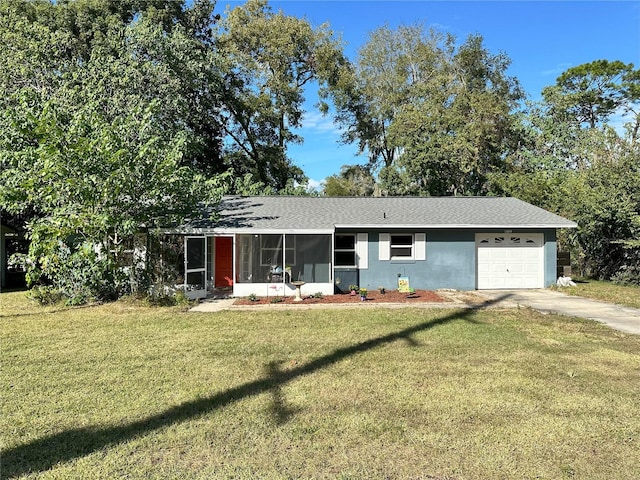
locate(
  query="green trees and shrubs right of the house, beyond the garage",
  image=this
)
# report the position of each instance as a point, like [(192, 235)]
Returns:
[(574, 164)]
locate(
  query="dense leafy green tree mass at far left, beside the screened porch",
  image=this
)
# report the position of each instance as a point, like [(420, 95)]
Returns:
[(99, 129)]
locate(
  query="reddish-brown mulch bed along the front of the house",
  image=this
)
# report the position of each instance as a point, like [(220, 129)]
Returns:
[(390, 296)]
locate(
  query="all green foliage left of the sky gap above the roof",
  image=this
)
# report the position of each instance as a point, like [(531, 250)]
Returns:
[(113, 117)]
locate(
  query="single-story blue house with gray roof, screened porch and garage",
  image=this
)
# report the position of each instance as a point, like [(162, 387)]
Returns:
[(262, 245)]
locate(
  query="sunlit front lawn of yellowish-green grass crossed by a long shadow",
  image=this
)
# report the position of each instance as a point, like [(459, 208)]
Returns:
[(128, 391)]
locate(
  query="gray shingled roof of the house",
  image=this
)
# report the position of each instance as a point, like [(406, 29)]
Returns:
[(315, 214)]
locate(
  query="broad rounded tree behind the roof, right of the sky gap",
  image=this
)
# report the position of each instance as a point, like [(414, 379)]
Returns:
[(436, 117)]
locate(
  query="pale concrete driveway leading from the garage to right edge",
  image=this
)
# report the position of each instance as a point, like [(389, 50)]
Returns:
[(548, 301)]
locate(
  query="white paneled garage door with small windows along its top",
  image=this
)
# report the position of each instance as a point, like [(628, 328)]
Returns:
[(510, 260)]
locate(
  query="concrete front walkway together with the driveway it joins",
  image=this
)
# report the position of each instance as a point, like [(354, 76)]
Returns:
[(620, 318)]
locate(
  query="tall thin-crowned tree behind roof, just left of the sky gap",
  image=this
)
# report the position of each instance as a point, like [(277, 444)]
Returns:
[(271, 59)]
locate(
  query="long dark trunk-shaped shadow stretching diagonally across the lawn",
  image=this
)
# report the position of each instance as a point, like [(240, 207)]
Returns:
[(43, 453)]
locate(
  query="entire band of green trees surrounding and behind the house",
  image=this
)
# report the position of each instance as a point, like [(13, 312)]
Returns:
[(122, 117)]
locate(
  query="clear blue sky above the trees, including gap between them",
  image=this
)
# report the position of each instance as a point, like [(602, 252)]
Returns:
[(542, 38)]
